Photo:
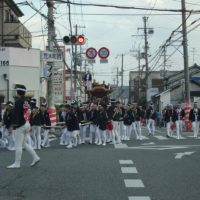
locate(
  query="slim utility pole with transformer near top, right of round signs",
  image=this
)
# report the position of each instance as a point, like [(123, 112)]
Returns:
[(146, 47)]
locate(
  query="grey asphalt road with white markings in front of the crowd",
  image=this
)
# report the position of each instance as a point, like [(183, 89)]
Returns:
[(91, 172)]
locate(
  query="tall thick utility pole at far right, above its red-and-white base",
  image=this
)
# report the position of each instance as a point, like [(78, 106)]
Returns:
[(185, 53)]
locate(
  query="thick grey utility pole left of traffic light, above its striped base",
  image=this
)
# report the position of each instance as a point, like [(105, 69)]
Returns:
[(51, 38)]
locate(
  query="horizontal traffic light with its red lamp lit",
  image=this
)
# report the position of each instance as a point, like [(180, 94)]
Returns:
[(74, 40)]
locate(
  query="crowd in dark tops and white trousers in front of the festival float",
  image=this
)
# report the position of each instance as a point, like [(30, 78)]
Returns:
[(103, 124)]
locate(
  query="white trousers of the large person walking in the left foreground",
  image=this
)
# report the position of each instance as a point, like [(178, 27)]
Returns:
[(20, 142)]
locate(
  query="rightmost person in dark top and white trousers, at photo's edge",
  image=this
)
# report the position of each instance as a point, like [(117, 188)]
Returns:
[(194, 117)]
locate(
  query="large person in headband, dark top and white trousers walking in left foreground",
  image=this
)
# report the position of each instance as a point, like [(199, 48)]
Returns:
[(21, 127)]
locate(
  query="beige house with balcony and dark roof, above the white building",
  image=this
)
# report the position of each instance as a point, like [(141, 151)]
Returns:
[(12, 32)]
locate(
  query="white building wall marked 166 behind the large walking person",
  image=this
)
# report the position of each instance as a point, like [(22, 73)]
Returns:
[(24, 71)]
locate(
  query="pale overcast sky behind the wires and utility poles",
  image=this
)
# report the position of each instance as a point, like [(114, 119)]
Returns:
[(116, 31)]
